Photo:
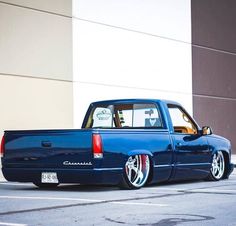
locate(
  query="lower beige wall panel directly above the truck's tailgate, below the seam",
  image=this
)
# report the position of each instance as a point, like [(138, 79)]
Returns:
[(31, 103)]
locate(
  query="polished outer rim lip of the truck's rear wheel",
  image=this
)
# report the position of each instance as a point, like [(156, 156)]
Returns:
[(143, 181)]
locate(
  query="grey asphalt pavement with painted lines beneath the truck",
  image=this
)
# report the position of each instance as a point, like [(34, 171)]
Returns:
[(186, 203)]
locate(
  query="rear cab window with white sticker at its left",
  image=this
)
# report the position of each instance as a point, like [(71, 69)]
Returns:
[(125, 116)]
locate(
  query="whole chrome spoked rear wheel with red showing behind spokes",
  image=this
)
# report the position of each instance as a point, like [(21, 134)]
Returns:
[(137, 170)]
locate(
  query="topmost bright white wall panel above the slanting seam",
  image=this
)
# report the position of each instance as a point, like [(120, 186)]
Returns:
[(165, 18)]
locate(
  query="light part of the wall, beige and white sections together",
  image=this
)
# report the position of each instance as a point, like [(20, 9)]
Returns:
[(121, 49)]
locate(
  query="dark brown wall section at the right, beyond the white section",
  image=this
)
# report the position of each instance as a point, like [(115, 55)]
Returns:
[(214, 65)]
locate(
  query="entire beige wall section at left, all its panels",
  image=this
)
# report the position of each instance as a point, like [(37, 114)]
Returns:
[(36, 79)]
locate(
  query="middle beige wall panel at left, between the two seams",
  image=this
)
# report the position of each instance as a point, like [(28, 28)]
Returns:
[(34, 43)]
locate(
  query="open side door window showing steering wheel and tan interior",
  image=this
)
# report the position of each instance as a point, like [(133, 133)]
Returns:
[(181, 121)]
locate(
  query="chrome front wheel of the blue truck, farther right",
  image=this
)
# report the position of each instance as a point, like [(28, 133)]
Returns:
[(218, 165)]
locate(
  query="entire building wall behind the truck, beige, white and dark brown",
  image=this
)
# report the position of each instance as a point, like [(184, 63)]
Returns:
[(57, 56)]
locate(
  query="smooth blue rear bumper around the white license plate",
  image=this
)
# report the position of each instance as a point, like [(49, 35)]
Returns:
[(81, 176)]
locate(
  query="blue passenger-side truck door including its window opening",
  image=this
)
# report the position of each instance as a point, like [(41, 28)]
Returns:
[(192, 156)]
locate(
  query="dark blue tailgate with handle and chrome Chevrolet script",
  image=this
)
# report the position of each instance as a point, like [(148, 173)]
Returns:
[(48, 149)]
